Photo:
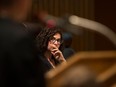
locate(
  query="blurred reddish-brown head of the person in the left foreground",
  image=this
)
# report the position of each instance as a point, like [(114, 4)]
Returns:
[(15, 9)]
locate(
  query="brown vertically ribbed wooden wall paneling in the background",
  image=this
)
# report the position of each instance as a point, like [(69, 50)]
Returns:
[(83, 8)]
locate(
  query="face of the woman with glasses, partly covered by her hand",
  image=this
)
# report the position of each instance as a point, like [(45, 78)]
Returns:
[(54, 42)]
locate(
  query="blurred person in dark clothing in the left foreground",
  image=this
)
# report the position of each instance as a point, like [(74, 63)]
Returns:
[(18, 58)]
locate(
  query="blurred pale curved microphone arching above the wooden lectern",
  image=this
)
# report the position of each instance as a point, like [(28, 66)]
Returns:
[(92, 25)]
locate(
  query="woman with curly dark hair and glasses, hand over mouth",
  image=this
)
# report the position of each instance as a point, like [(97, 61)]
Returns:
[(49, 43)]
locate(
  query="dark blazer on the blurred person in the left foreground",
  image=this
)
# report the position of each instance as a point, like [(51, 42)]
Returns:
[(18, 58)]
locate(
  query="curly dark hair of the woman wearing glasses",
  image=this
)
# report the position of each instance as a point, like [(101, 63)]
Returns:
[(44, 36)]
